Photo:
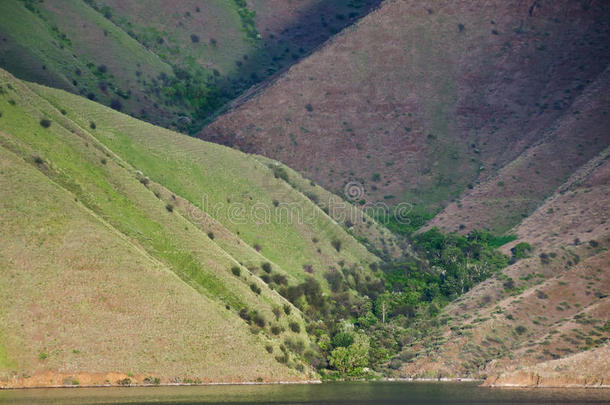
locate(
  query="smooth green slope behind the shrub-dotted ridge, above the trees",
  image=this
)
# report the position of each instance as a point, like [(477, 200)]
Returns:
[(235, 189)]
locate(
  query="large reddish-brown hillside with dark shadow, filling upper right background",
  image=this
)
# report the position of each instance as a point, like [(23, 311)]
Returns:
[(418, 102)]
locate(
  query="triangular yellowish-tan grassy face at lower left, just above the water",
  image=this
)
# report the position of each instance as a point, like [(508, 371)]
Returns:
[(78, 296)]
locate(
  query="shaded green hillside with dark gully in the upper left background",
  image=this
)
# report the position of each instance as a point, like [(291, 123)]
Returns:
[(170, 63)]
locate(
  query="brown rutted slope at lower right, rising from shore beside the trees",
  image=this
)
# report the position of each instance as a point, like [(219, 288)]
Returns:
[(549, 305)]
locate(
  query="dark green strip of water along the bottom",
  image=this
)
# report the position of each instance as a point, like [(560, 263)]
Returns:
[(362, 393)]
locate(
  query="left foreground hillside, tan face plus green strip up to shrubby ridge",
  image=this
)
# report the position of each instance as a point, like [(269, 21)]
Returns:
[(46, 241)]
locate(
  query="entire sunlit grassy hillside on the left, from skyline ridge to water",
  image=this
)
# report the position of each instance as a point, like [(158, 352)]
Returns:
[(108, 220)]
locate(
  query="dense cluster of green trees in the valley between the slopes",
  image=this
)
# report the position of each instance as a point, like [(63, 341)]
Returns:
[(367, 318)]
